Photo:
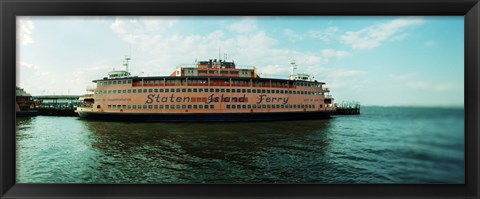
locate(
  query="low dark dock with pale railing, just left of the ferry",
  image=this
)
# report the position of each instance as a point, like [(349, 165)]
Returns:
[(57, 105)]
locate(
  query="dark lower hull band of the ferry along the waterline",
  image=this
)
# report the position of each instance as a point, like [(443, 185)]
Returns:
[(207, 117)]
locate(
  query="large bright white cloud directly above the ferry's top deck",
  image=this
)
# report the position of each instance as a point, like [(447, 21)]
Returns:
[(162, 51)]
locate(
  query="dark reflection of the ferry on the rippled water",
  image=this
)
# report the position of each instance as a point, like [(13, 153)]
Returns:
[(208, 152)]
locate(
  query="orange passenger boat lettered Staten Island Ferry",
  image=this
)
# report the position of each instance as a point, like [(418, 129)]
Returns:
[(213, 90)]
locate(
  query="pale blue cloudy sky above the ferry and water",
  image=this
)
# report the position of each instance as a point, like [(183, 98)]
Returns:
[(373, 60)]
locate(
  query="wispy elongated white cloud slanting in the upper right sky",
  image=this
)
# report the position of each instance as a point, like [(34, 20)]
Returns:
[(373, 36)]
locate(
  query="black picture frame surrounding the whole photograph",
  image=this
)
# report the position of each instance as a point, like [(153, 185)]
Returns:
[(9, 9)]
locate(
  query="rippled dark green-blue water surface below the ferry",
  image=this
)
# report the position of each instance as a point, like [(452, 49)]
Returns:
[(382, 145)]
